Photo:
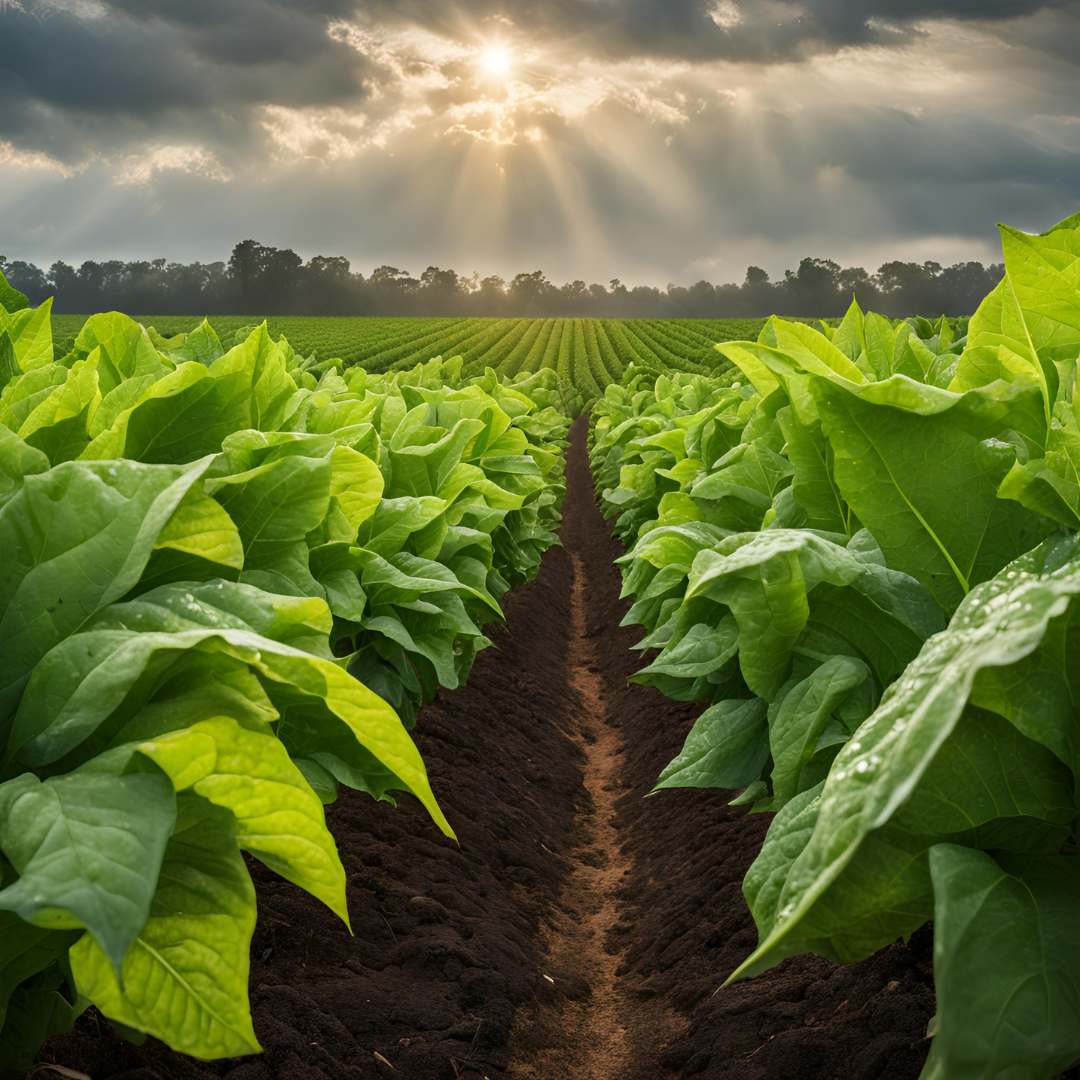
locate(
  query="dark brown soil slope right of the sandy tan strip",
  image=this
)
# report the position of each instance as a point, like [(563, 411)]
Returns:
[(685, 926)]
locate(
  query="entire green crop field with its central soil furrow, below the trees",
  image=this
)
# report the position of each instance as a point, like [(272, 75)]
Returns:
[(772, 773)]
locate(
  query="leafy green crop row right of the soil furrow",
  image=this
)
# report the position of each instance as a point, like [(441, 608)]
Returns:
[(860, 549)]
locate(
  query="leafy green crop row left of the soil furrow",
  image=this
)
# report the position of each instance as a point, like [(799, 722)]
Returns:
[(232, 577)]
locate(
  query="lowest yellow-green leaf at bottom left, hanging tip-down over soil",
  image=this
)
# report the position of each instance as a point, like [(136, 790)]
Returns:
[(185, 980)]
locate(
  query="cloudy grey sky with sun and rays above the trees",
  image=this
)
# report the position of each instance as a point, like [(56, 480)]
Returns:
[(654, 141)]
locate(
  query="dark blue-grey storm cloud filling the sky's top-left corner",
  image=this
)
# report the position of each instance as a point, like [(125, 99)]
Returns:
[(74, 86)]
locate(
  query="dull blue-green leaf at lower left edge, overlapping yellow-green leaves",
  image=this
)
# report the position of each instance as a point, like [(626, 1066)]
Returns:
[(88, 848)]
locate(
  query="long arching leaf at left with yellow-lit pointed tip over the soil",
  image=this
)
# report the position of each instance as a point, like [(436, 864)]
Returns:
[(87, 680)]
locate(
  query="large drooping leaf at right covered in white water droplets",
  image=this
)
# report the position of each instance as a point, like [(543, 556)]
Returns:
[(898, 785)]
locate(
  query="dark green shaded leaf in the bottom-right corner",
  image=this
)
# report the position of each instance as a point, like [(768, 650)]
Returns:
[(1007, 965)]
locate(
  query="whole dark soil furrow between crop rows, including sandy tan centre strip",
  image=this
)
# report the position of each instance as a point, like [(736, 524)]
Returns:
[(562, 860)]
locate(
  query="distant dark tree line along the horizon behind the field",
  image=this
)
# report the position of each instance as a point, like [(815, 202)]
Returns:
[(266, 281)]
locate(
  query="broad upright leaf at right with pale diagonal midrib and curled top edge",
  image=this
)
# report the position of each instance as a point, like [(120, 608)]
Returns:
[(920, 465)]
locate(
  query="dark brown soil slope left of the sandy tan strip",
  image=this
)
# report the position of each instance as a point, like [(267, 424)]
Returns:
[(444, 947)]
